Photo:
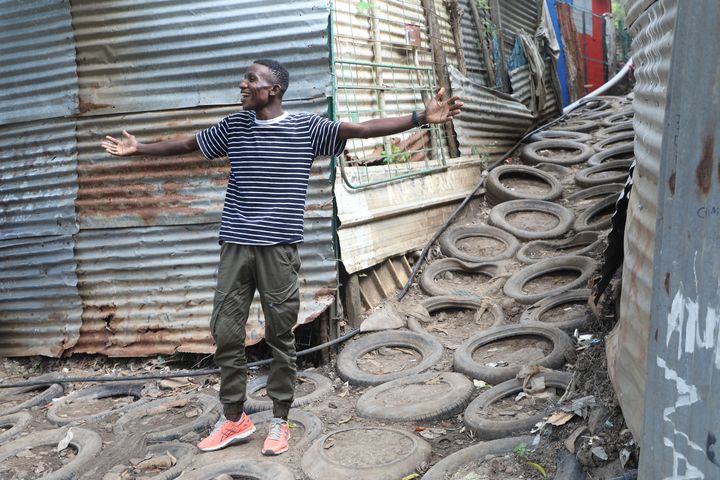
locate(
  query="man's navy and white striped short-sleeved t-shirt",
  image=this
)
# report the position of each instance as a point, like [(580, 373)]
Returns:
[(269, 171)]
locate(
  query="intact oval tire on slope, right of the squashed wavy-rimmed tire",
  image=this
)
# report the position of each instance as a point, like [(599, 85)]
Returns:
[(514, 287)]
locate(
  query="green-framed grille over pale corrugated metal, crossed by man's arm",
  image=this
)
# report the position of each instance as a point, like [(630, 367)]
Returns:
[(383, 67)]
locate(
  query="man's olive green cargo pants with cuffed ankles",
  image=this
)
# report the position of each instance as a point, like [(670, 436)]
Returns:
[(273, 271)]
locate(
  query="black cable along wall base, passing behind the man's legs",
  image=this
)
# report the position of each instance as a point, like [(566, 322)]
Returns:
[(179, 373)]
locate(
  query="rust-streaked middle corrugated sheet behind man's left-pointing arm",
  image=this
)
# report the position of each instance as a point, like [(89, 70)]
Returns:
[(147, 191)]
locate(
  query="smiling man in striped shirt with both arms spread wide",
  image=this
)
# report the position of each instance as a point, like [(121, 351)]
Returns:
[(270, 153)]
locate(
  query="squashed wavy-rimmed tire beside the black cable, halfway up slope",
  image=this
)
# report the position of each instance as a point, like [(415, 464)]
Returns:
[(490, 269)]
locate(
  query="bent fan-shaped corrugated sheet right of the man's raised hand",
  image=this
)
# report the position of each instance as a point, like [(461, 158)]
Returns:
[(491, 122)]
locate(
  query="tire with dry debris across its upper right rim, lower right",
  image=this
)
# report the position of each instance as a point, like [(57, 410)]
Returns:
[(475, 417)]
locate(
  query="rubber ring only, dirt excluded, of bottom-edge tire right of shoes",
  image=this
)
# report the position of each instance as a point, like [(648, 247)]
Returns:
[(318, 467)]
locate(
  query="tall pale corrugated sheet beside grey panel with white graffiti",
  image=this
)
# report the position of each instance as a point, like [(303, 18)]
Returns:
[(627, 345)]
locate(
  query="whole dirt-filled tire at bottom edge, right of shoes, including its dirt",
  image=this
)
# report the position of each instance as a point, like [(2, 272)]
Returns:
[(393, 454)]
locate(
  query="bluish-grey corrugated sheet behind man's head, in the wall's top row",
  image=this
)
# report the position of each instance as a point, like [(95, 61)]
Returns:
[(166, 54)]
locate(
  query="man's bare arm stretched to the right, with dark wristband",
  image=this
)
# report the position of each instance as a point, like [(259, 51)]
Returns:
[(436, 111)]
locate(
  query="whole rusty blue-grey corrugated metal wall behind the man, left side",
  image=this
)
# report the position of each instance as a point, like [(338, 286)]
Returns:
[(118, 256)]
